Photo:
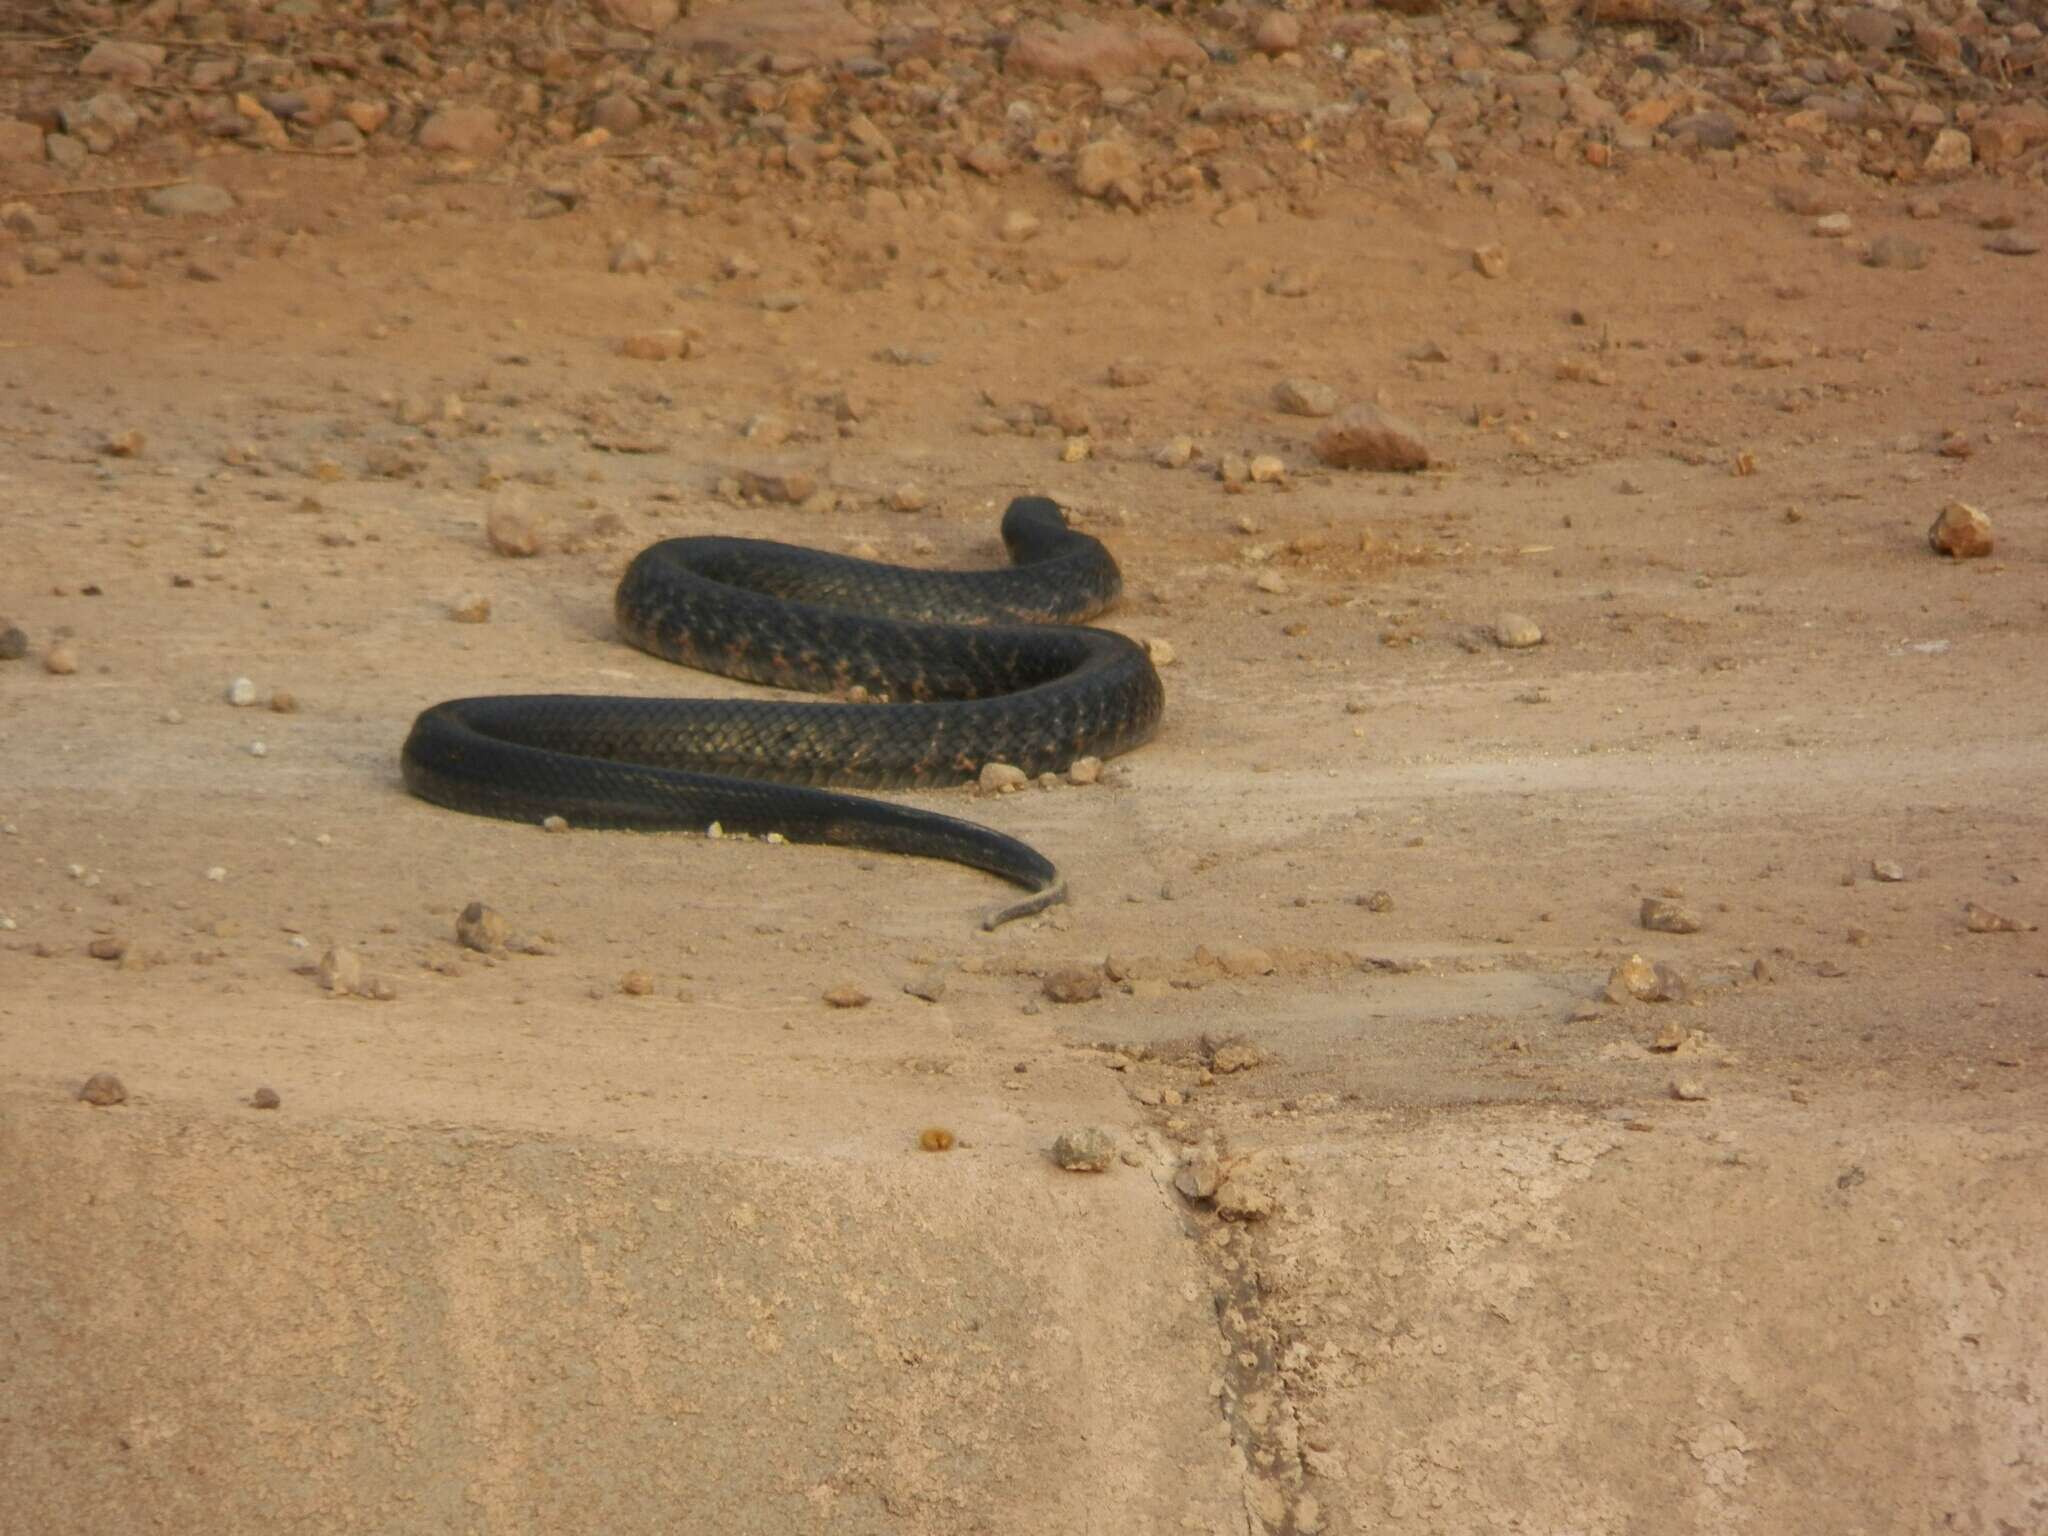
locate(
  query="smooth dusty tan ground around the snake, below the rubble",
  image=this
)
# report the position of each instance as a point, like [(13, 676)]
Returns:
[(527, 1250)]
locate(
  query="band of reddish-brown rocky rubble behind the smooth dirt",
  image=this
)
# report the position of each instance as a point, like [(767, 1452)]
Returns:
[(1136, 105)]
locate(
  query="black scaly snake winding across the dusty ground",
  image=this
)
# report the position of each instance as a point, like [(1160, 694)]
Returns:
[(978, 667)]
